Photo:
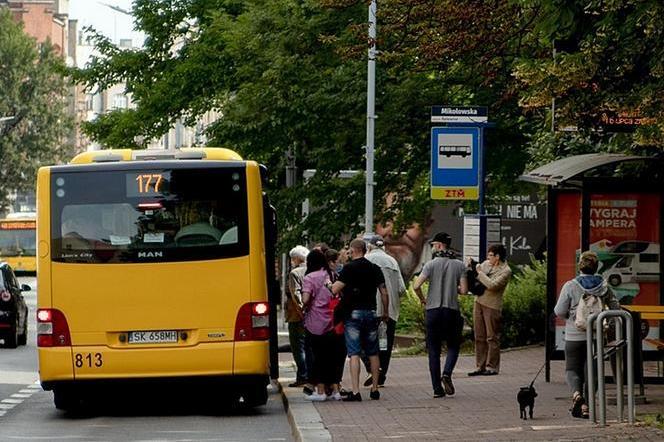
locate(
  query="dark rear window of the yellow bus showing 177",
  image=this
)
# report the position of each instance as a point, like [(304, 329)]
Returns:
[(135, 216)]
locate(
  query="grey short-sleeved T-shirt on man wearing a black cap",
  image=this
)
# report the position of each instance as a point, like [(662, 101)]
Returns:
[(444, 275)]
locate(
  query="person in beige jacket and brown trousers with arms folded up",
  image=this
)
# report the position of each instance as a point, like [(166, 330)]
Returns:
[(494, 274)]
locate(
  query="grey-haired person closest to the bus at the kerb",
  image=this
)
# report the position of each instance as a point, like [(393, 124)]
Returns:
[(294, 314)]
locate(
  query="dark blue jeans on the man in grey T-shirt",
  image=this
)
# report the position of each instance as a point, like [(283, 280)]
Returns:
[(443, 324)]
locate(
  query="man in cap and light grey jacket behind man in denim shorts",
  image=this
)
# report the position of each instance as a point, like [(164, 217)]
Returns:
[(395, 289)]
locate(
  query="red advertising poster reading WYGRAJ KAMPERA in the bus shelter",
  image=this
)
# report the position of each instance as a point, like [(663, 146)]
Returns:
[(624, 232)]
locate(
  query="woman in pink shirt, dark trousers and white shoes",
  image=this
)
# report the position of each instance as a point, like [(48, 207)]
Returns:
[(318, 326)]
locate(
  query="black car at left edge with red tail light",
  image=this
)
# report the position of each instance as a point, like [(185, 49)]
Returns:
[(13, 309)]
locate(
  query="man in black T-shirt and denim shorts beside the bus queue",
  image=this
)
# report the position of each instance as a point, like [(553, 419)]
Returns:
[(359, 280)]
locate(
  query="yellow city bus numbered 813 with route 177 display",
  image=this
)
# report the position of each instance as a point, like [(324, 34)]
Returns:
[(153, 266)]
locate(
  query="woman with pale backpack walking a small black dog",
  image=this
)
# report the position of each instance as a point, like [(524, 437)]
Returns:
[(584, 290)]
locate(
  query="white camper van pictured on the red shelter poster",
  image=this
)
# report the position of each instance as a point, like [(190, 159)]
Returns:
[(639, 261)]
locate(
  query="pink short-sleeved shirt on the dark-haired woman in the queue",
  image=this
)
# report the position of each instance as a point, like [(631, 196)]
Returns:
[(317, 316)]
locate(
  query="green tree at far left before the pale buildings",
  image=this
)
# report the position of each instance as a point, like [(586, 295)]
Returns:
[(34, 122)]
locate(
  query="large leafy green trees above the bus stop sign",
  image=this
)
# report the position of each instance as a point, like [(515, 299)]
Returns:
[(291, 74)]
